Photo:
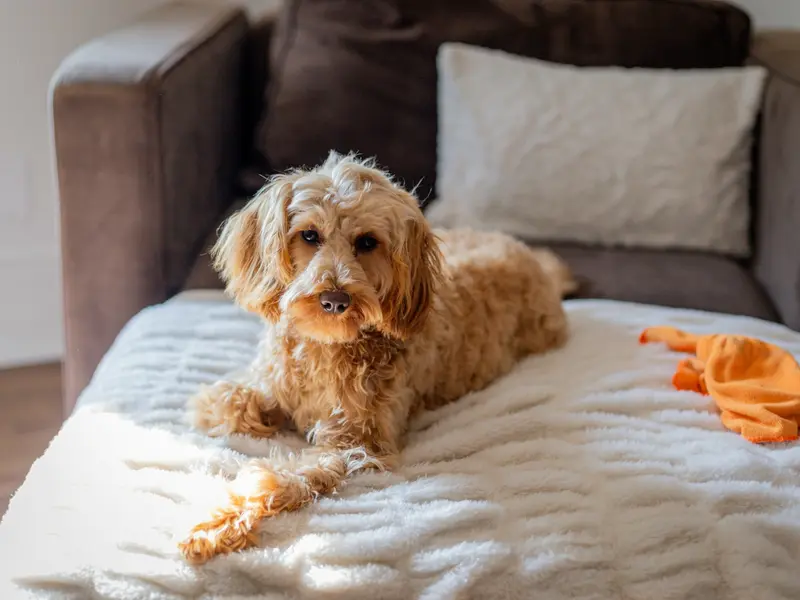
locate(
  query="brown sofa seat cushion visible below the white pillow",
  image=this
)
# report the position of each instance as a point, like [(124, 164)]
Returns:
[(677, 279)]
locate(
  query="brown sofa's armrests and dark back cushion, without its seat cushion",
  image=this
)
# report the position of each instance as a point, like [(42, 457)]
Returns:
[(160, 127)]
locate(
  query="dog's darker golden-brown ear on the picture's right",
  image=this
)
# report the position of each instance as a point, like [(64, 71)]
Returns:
[(417, 271)]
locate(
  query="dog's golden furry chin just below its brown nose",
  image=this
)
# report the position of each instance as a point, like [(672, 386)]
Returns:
[(310, 321)]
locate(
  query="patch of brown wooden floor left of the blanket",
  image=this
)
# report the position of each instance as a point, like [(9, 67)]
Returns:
[(30, 415)]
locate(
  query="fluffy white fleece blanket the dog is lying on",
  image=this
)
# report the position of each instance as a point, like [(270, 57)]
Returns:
[(582, 475)]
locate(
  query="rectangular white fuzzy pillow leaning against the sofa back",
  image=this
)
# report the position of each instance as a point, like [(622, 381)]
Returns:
[(607, 156)]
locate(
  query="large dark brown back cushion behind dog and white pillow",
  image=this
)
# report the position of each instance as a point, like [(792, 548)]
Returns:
[(360, 75)]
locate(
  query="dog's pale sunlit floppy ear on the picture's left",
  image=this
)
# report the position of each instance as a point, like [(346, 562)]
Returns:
[(252, 252)]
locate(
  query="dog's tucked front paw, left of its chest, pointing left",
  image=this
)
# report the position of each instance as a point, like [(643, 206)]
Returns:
[(228, 407)]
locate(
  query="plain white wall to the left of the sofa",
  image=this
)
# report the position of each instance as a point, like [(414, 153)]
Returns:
[(34, 36)]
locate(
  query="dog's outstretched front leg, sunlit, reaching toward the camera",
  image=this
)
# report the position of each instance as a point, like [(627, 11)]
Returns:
[(260, 491)]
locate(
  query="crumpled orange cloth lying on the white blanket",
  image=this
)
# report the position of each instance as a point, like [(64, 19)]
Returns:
[(756, 385)]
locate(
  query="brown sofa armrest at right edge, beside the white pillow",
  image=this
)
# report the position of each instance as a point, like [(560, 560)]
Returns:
[(777, 229)]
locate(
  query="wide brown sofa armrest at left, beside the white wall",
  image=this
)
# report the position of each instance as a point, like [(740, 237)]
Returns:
[(148, 138)]
